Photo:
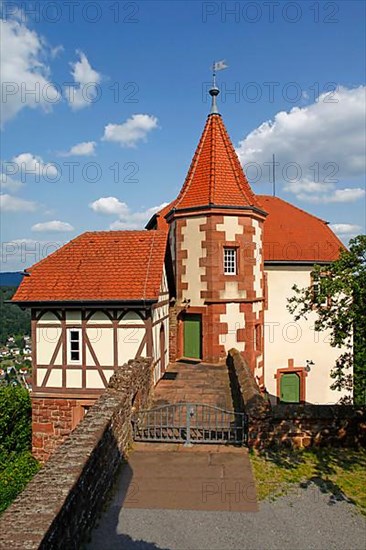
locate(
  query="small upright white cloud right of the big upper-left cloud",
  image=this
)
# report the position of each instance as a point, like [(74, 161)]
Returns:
[(85, 91)]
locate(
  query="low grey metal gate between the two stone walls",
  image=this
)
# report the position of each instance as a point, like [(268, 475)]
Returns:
[(190, 423)]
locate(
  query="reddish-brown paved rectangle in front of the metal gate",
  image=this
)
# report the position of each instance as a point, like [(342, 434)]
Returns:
[(201, 477)]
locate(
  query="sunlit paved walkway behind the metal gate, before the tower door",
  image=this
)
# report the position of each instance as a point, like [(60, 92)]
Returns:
[(195, 383)]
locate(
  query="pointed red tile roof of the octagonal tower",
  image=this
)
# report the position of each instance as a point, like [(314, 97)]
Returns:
[(215, 176)]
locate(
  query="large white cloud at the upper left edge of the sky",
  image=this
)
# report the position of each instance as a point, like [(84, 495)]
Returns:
[(25, 76)]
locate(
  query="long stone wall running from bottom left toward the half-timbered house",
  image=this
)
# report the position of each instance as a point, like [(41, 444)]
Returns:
[(59, 506)]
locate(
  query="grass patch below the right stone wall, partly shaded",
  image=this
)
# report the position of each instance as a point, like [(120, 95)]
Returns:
[(341, 472)]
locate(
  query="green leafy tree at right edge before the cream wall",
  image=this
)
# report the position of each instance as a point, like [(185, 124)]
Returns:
[(338, 296)]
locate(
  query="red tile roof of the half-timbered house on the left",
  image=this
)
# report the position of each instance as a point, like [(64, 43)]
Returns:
[(99, 266)]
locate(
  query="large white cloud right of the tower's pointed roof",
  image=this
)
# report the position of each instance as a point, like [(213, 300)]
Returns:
[(326, 140)]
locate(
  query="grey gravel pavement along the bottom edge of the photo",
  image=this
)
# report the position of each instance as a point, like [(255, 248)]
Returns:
[(306, 519)]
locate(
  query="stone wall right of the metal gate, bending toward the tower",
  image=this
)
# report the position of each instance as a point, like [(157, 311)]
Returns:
[(294, 425)]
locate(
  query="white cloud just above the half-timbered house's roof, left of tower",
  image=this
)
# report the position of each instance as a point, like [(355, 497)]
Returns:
[(126, 218)]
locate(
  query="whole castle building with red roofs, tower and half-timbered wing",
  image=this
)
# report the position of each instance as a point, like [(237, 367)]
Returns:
[(212, 271)]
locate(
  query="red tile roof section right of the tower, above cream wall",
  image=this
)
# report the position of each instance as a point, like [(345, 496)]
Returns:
[(291, 234)]
